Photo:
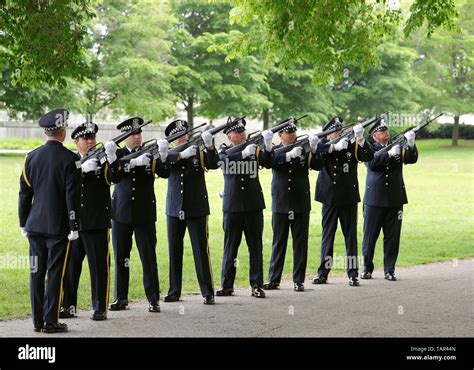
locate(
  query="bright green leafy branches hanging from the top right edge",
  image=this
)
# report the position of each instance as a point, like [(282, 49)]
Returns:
[(331, 34)]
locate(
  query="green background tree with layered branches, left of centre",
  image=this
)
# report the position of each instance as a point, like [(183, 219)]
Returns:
[(204, 82)]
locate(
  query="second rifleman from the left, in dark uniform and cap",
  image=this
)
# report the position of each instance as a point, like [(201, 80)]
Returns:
[(134, 212)]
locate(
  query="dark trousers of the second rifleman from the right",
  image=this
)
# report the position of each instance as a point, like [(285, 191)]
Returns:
[(347, 215)]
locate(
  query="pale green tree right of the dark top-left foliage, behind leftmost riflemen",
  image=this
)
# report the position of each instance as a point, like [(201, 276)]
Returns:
[(129, 68)]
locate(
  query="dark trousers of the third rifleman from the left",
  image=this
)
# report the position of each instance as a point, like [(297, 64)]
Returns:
[(198, 233)]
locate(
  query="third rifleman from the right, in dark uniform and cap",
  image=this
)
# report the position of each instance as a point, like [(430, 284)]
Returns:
[(291, 205)]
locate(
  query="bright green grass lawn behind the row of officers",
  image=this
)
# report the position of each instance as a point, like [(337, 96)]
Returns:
[(438, 225)]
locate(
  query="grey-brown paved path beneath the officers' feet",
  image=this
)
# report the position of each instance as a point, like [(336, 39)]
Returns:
[(433, 300)]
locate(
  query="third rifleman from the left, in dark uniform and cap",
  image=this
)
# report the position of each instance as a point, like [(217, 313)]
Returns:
[(187, 206)]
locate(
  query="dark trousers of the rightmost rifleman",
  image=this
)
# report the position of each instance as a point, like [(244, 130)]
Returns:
[(388, 219)]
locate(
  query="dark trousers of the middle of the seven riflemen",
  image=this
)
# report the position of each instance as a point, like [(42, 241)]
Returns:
[(251, 224)]
